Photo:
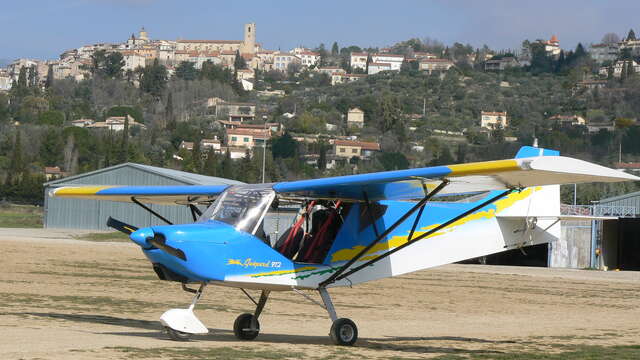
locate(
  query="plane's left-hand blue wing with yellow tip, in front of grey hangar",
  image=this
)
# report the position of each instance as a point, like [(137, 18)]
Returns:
[(163, 195)]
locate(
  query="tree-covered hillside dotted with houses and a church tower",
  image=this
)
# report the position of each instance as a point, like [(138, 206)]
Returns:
[(287, 103)]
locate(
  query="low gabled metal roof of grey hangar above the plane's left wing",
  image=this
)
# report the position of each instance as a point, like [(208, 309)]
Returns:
[(182, 176)]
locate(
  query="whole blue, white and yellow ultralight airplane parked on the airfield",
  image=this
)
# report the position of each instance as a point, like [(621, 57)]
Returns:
[(348, 230)]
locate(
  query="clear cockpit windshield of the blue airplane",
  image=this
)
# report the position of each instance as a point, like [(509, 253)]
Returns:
[(241, 206)]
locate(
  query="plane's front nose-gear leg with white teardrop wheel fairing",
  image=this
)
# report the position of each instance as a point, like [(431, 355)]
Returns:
[(180, 324)]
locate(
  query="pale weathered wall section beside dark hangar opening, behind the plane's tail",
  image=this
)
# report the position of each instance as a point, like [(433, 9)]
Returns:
[(573, 249)]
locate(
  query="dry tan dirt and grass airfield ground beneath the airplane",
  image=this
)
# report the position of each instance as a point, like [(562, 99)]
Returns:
[(69, 299)]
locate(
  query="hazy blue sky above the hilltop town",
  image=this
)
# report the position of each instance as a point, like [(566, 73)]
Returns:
[(43, 29)]
